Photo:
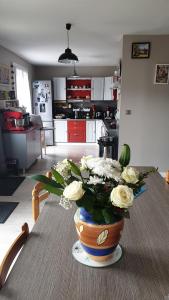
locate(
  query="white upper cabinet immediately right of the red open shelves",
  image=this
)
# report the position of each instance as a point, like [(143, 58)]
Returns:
[(97, 86)]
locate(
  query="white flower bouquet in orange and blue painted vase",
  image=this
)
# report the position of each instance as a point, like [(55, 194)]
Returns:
[(103, 190)]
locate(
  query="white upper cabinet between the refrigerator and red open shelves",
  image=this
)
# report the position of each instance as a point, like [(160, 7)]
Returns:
[(59, 86)]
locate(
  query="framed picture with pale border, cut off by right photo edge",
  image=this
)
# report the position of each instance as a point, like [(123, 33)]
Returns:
[(161, 74)]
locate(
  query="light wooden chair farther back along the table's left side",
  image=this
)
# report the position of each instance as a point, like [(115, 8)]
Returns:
[(38, 195)]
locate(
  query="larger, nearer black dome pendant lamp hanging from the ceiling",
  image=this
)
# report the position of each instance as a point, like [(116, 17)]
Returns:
[(68, 57)]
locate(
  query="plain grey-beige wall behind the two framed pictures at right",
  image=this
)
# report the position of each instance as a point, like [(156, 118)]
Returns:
[(146, 130)]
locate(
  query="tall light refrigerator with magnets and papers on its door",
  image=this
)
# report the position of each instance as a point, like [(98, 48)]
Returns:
[(42, 106)]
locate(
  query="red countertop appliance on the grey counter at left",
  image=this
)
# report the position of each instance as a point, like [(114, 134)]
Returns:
[(14, 121)]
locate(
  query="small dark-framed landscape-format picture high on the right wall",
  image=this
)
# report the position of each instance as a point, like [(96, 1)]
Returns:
[(140, 50)]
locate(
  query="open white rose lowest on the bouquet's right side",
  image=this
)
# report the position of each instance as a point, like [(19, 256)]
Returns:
[(122, 196)]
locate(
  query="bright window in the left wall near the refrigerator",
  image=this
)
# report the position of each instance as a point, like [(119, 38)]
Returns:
[(22, 88)]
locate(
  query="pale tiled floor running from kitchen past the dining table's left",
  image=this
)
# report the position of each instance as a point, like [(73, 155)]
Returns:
[(22, 213)]
